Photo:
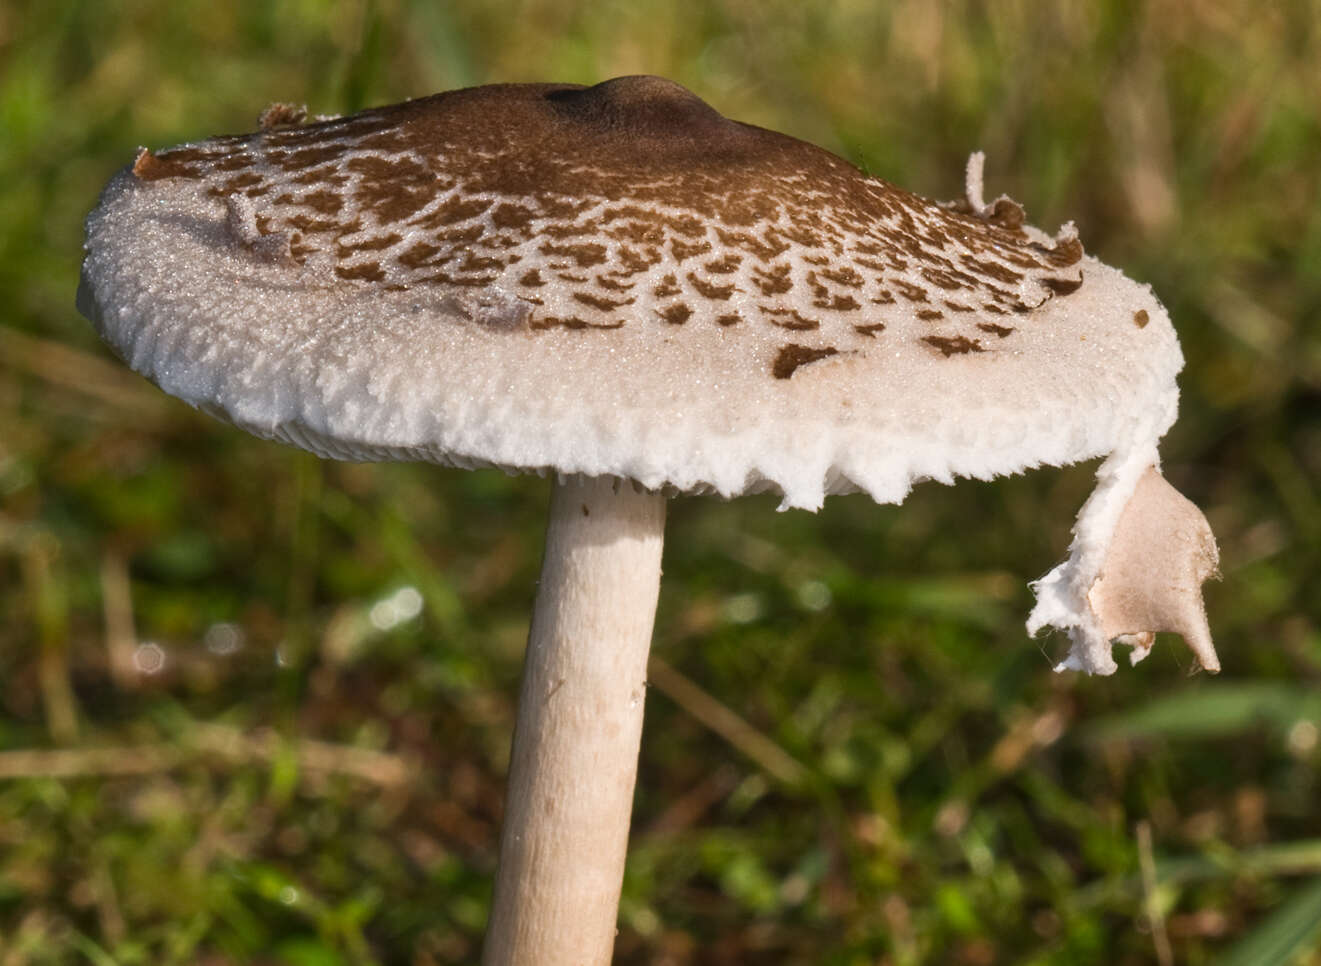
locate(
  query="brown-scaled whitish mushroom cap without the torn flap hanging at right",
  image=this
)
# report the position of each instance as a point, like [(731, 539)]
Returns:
[(616, 281)]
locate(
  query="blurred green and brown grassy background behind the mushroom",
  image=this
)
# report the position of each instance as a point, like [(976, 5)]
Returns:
[(256, 708)]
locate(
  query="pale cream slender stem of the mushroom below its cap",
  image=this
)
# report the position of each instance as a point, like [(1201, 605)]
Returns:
[(579, 727)]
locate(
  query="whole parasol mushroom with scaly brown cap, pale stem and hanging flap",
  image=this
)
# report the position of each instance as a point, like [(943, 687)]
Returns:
[(622, 289)]
